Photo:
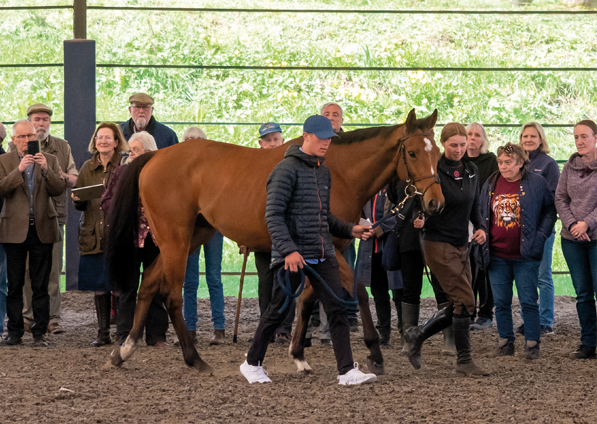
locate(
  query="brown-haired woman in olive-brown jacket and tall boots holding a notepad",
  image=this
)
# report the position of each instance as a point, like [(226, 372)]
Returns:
[(106, 145)]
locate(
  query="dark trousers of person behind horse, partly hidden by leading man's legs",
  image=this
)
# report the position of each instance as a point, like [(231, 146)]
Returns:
[(265, 290)]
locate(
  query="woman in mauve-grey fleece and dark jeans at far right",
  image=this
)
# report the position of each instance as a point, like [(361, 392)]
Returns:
[(576, 202)]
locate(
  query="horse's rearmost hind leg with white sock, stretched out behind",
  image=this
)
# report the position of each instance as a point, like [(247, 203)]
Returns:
[(150, 285)]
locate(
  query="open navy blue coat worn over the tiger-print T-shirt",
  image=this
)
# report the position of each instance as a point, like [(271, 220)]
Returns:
[(537, 213)]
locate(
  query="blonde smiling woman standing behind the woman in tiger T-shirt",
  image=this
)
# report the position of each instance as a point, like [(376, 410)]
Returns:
[(532, 139)]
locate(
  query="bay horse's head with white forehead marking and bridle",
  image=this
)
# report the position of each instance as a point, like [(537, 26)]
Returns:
[(417, 161)]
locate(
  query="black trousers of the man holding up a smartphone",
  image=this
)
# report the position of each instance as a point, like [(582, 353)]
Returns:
[(40, 266)]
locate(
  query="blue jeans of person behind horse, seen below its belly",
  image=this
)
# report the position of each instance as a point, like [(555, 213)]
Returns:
[(213, 276)]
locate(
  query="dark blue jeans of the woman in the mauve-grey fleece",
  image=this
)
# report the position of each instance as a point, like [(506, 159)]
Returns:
[(581, 257)]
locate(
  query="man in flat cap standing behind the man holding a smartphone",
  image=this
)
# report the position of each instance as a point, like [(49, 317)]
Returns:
[(40, 116)]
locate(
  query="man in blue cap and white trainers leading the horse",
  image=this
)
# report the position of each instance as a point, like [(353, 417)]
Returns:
[(302, 227)]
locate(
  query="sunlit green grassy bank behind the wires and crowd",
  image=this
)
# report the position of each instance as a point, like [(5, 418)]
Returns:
[(236, 101)]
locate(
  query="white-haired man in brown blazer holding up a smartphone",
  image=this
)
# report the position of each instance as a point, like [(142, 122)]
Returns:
[(28, 227)]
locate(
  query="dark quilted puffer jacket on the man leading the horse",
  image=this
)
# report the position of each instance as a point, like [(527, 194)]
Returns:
[(297, 213)]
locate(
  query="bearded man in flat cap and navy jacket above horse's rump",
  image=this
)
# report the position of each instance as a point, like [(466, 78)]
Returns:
[(142, 119)]
